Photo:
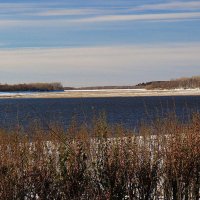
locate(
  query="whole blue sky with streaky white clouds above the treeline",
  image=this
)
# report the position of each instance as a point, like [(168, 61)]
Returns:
[(98, 42)]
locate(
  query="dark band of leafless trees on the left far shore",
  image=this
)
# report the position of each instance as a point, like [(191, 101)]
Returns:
[(33, 87)]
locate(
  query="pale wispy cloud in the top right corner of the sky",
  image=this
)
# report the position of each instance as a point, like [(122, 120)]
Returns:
[(177, 5)]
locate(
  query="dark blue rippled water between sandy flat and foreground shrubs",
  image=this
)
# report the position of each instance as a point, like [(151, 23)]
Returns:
[(126, 110)]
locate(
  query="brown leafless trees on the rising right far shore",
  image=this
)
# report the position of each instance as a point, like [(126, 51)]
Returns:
[(186, 83)]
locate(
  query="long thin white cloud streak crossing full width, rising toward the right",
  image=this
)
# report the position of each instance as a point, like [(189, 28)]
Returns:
[(105, 18)]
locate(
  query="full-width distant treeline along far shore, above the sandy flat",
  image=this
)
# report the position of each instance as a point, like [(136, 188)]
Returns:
[(181, 83)]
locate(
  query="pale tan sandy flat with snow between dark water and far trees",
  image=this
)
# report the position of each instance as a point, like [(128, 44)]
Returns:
[(103, 93)]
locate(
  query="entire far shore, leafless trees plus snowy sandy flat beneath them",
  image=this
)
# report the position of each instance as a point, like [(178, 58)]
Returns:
[(177, 87)]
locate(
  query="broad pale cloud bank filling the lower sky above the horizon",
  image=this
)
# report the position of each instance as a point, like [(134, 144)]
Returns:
[(121, 63)]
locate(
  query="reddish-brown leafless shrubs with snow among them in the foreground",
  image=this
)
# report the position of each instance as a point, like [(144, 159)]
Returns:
[(159, 161)]
